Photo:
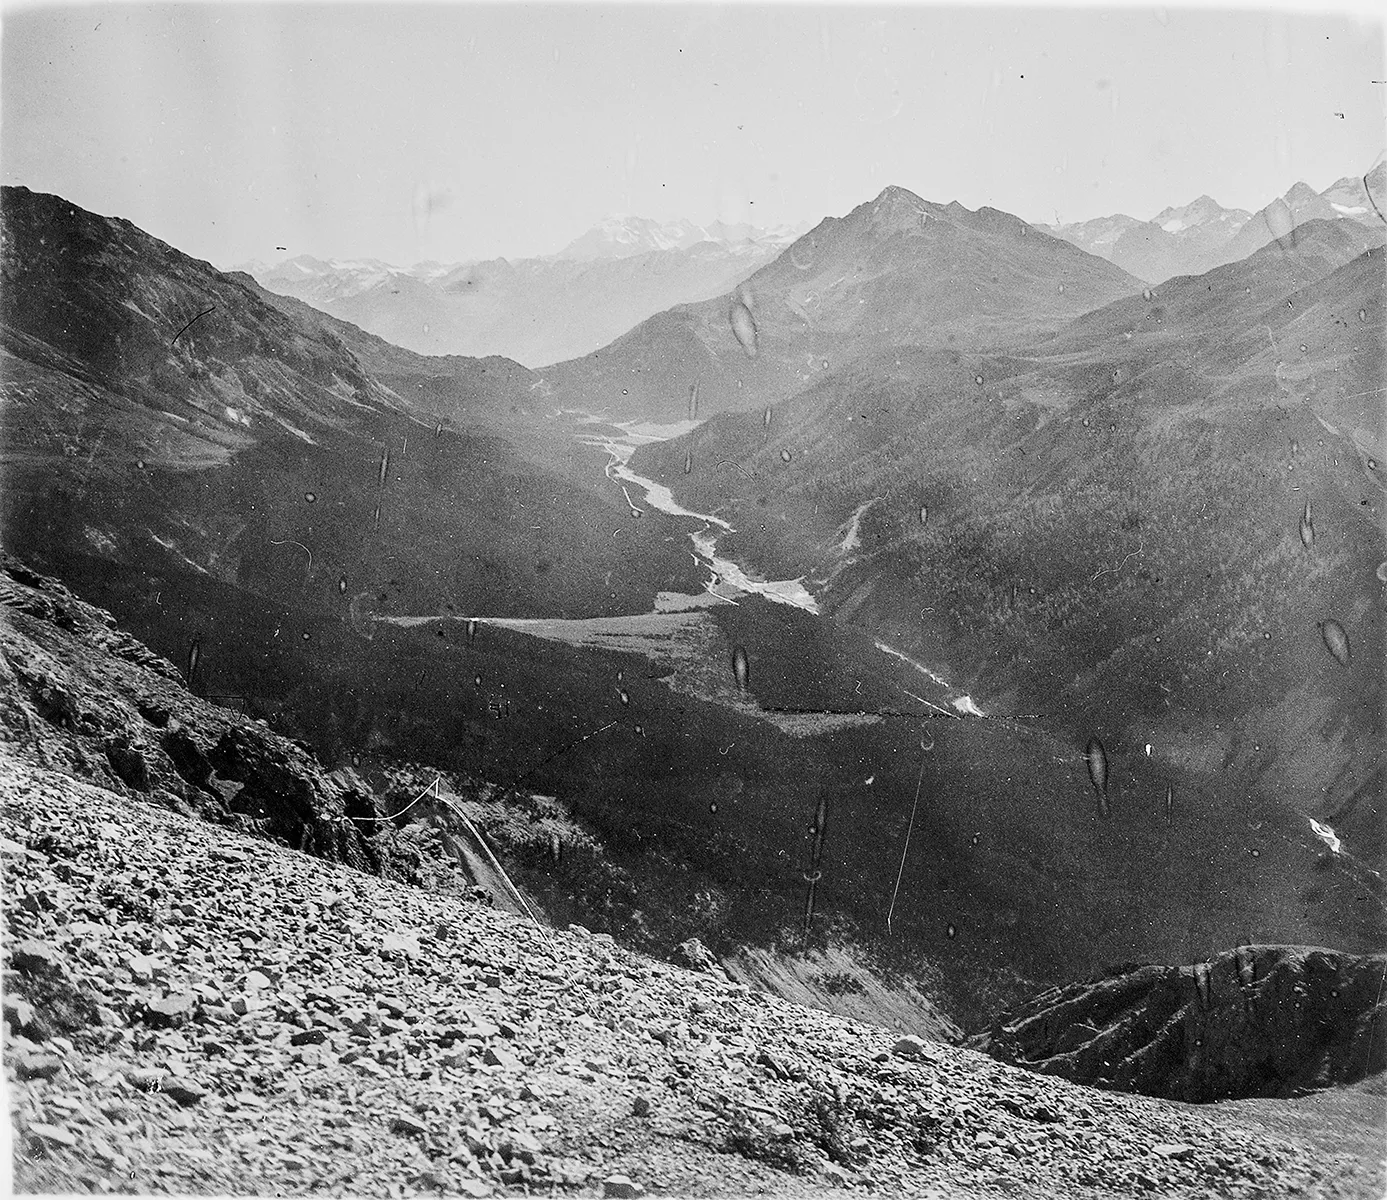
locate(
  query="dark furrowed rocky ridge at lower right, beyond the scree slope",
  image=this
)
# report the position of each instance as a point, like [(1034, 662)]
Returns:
[(1255, 1022)]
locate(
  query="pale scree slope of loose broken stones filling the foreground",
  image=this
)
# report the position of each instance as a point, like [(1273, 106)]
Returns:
[(218, 1015)]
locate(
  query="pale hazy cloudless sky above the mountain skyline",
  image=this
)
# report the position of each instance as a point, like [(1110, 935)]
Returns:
[(456, 131)]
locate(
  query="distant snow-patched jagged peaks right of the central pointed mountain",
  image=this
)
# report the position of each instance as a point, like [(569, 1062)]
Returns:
[(1203, 235)]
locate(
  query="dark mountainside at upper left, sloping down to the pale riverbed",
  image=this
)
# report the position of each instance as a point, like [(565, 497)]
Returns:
[(249, 475)]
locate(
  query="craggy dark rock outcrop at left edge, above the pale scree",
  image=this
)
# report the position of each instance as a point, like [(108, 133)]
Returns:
[(84, 697)]
